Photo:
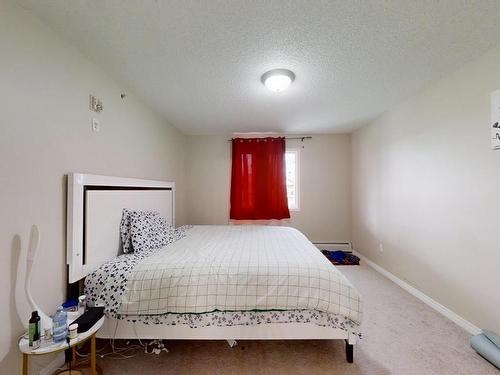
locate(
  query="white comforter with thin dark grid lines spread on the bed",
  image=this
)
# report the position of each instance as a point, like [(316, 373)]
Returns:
[(239, 268)]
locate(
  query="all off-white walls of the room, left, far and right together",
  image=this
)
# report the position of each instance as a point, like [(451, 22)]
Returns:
[(425, 182)]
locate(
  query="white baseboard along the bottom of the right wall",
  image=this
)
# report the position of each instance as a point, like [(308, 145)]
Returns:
[(454, 317)]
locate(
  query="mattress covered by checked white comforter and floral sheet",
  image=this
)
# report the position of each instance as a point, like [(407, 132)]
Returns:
[(244, 274)]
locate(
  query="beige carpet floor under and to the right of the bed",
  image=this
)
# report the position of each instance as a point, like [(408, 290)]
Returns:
[(402, 336)]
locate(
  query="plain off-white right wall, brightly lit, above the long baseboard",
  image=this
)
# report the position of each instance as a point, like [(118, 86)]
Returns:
[(426, 185)]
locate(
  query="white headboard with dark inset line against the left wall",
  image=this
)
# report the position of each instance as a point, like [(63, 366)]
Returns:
[(95, 205)]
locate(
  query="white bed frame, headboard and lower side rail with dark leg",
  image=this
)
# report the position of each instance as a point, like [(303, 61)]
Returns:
[(95, 206)]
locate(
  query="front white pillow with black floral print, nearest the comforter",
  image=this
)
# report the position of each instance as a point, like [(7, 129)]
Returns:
[(149, 231)]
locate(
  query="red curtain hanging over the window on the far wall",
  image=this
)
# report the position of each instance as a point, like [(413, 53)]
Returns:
[(258, 182)]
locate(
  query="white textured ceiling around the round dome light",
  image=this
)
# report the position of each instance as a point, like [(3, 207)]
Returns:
[(199, 63)]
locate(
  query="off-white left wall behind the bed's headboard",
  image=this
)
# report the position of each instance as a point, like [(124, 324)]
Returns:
[(44, 134)]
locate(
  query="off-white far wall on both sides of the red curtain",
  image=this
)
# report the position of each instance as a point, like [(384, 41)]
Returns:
[(325, 183)]
